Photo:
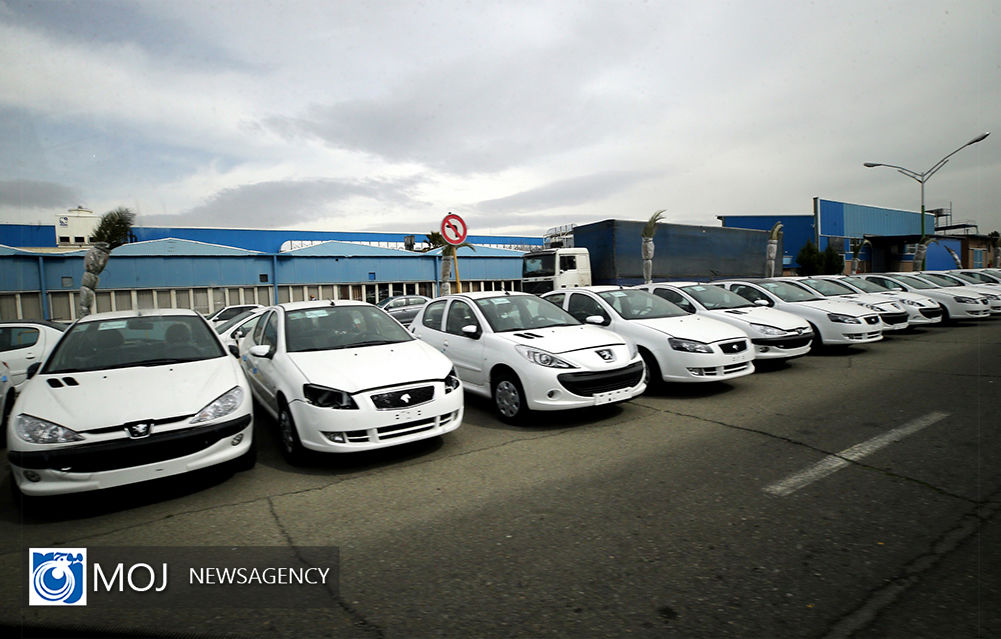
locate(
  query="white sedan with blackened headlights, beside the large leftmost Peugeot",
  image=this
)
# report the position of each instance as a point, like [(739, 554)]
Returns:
[(342, 377)]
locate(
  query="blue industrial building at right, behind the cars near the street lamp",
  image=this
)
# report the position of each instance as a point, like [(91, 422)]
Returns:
[(893, 235)]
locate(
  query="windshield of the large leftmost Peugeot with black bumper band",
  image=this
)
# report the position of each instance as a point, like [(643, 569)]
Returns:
[(134, 342)]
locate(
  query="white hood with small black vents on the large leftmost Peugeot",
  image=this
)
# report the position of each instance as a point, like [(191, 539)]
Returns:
[(103, 399)]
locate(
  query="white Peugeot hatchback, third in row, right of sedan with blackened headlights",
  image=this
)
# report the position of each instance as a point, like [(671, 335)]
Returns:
[(529, 355)]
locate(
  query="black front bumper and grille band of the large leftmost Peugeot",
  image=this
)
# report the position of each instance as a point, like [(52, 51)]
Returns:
[(120, 454)]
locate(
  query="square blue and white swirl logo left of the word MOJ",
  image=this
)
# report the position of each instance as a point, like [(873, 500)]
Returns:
[(59, 577)]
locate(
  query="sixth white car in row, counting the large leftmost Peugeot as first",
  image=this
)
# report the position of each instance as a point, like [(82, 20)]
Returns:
[(833, 323)]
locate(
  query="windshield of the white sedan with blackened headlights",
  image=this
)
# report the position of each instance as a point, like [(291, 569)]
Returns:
[(334, 328)]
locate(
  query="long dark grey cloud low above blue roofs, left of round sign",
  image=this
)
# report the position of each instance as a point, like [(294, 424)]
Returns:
[(284, 204)]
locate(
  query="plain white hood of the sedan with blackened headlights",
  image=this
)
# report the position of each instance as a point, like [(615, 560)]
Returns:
[(362, 369)]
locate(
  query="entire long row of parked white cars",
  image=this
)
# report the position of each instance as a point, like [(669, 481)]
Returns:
[(128, 397)]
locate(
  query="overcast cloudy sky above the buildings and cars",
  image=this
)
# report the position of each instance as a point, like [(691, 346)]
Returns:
[(355, 116)]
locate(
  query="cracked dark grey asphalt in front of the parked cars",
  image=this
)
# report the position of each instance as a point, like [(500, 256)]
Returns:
[(645, 519)]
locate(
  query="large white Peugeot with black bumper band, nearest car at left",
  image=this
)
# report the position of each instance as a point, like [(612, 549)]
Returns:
[(128, 397)]
